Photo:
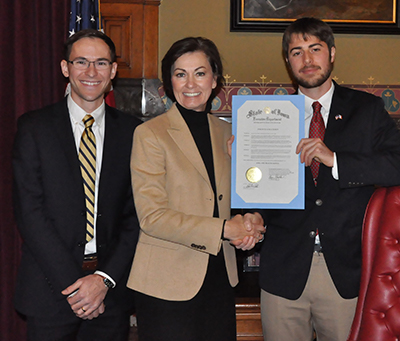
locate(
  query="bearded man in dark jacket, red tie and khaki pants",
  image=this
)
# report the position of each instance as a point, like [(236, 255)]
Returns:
[(311, 259)]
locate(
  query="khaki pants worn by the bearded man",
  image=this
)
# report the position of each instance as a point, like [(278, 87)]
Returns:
[(320, 308)]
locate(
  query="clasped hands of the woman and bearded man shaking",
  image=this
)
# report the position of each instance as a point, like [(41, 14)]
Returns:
[(244, 232)]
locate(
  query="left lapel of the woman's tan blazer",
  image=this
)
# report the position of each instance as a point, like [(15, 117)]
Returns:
[(182, 136)]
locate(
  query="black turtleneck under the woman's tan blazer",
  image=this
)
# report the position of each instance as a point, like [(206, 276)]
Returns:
[(197, 122)]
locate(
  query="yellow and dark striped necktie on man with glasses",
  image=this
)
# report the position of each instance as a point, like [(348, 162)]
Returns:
[(87, 159)]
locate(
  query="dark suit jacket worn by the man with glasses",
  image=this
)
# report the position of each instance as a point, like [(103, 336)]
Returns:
[(50, 207)]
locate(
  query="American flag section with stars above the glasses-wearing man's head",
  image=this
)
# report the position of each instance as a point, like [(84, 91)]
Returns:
[(84, 14)]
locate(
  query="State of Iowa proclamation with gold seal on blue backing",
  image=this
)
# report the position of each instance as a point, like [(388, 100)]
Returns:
[(266, 171)]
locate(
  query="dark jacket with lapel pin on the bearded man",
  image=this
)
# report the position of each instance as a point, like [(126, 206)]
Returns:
[(367, 146)]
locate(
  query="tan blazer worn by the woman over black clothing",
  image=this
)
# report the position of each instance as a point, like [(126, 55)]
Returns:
[(175, 203)]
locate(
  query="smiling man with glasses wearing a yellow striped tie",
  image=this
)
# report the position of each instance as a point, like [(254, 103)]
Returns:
[(79, 229)]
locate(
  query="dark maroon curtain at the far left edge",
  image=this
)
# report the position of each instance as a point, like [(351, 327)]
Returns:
[(31, 42)]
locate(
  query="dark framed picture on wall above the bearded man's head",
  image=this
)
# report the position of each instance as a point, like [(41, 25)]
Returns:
[(344, 16)]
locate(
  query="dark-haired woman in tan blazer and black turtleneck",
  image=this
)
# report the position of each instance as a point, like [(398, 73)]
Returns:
[(185, 267)]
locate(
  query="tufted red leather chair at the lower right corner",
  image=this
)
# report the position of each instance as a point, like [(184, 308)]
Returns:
[(377, 316)]
